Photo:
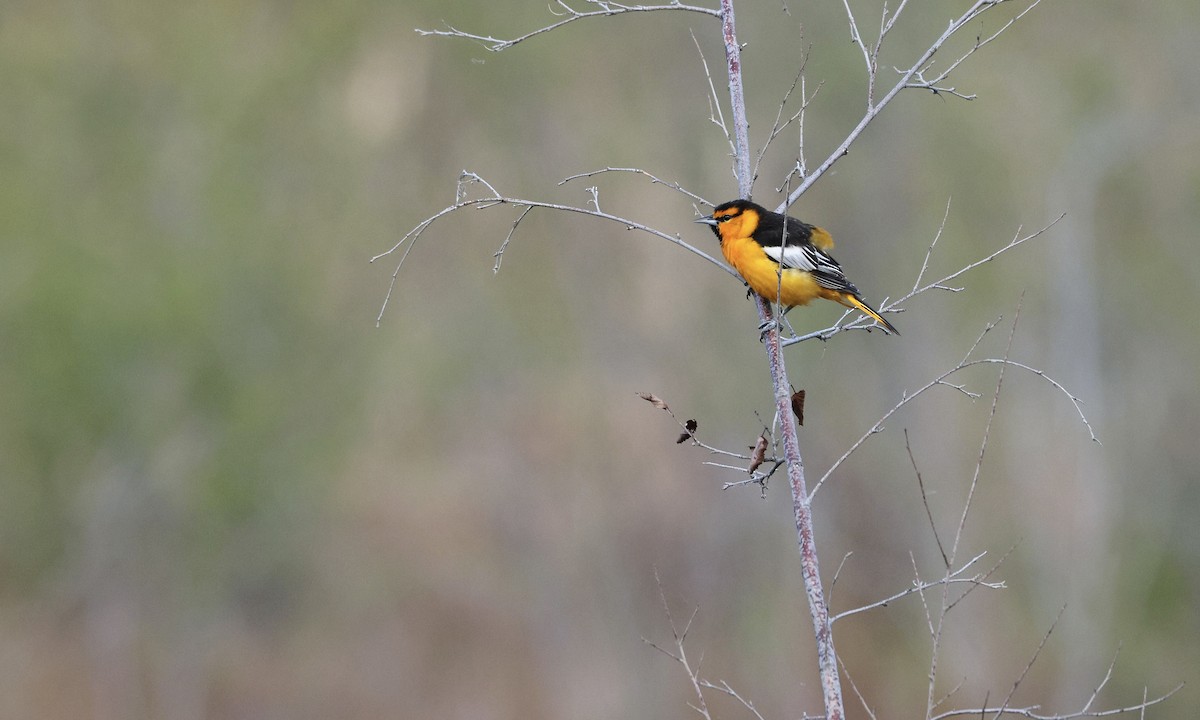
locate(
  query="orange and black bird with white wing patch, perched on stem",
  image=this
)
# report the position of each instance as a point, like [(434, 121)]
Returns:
[(784, 260)]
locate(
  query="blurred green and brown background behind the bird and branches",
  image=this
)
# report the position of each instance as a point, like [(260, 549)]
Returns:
[(225, 494)]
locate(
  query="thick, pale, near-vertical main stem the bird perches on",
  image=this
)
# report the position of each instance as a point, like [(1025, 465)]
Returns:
[(827, 658)]
